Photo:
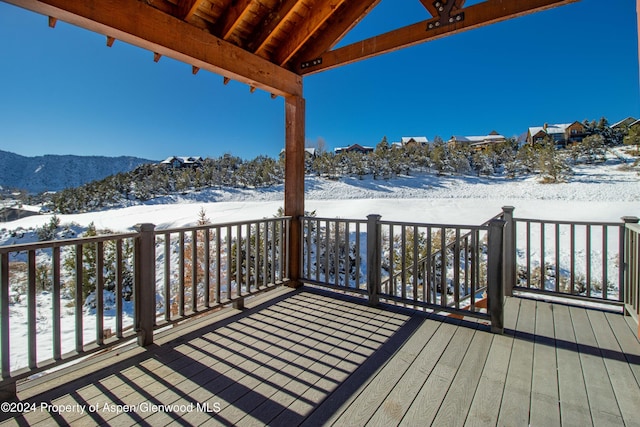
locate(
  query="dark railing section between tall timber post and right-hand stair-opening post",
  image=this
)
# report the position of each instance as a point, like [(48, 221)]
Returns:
[(426, 266)]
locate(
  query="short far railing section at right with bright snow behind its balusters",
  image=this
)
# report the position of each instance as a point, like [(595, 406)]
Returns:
[(572, 259)]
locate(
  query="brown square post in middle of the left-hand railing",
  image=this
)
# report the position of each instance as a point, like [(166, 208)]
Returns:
[(145, 281)]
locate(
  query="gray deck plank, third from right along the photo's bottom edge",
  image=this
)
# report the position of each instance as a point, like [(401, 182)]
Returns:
[(574, 405)]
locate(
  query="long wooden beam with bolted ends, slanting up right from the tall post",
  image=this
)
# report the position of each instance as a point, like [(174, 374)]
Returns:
[(475, 16)]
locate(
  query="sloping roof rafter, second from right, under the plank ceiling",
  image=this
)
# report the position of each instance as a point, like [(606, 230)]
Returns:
[(320, 13)]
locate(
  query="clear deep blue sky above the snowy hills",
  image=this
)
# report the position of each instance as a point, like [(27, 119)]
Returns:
[(62, 91)]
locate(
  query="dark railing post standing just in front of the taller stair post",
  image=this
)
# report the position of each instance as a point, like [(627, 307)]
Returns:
[(495, 275)]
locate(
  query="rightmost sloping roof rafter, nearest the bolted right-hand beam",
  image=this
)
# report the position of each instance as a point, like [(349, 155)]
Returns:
[(341, 23)]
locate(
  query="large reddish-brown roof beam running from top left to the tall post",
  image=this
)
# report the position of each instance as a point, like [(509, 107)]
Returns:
[(139, 24)]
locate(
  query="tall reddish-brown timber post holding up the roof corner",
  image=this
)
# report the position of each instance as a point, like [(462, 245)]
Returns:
[(294, 181)]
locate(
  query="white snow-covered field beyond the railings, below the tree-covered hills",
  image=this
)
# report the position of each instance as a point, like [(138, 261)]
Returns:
[(594, 193)]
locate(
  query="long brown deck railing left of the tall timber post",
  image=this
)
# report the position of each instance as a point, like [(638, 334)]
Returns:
[(117, 287)]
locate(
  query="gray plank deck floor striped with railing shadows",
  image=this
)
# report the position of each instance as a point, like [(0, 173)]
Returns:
[(308, 357)]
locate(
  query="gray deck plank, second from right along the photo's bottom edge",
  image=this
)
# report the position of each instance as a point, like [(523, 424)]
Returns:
[(602, 400)]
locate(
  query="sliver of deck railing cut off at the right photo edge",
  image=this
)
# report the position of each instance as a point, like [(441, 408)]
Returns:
[(632, 269)]
